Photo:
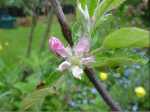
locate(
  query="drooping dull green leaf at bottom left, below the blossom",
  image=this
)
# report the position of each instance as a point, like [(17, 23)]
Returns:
[(35, 99)]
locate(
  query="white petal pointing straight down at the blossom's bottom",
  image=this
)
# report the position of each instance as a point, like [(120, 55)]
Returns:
[(77, 72)]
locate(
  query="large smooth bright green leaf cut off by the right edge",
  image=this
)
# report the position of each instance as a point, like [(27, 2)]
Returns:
[(127, 38)]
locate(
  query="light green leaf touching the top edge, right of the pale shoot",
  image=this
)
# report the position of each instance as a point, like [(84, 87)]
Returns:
[(107, 5)]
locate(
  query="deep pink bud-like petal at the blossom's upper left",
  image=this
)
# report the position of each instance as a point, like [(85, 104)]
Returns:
[(57, 47)]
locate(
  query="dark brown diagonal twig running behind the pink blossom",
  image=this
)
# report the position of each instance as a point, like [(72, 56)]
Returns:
[(89, 71)]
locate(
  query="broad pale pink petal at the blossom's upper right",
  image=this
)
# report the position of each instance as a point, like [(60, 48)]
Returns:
[(83, 46)]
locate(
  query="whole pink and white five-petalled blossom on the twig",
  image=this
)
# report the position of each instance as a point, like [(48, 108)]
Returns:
[(74, 58)]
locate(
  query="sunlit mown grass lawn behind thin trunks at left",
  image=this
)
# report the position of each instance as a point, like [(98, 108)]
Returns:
[(17, 40)]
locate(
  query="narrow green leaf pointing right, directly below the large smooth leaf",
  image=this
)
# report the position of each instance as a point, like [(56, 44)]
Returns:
[(118, 57)]
